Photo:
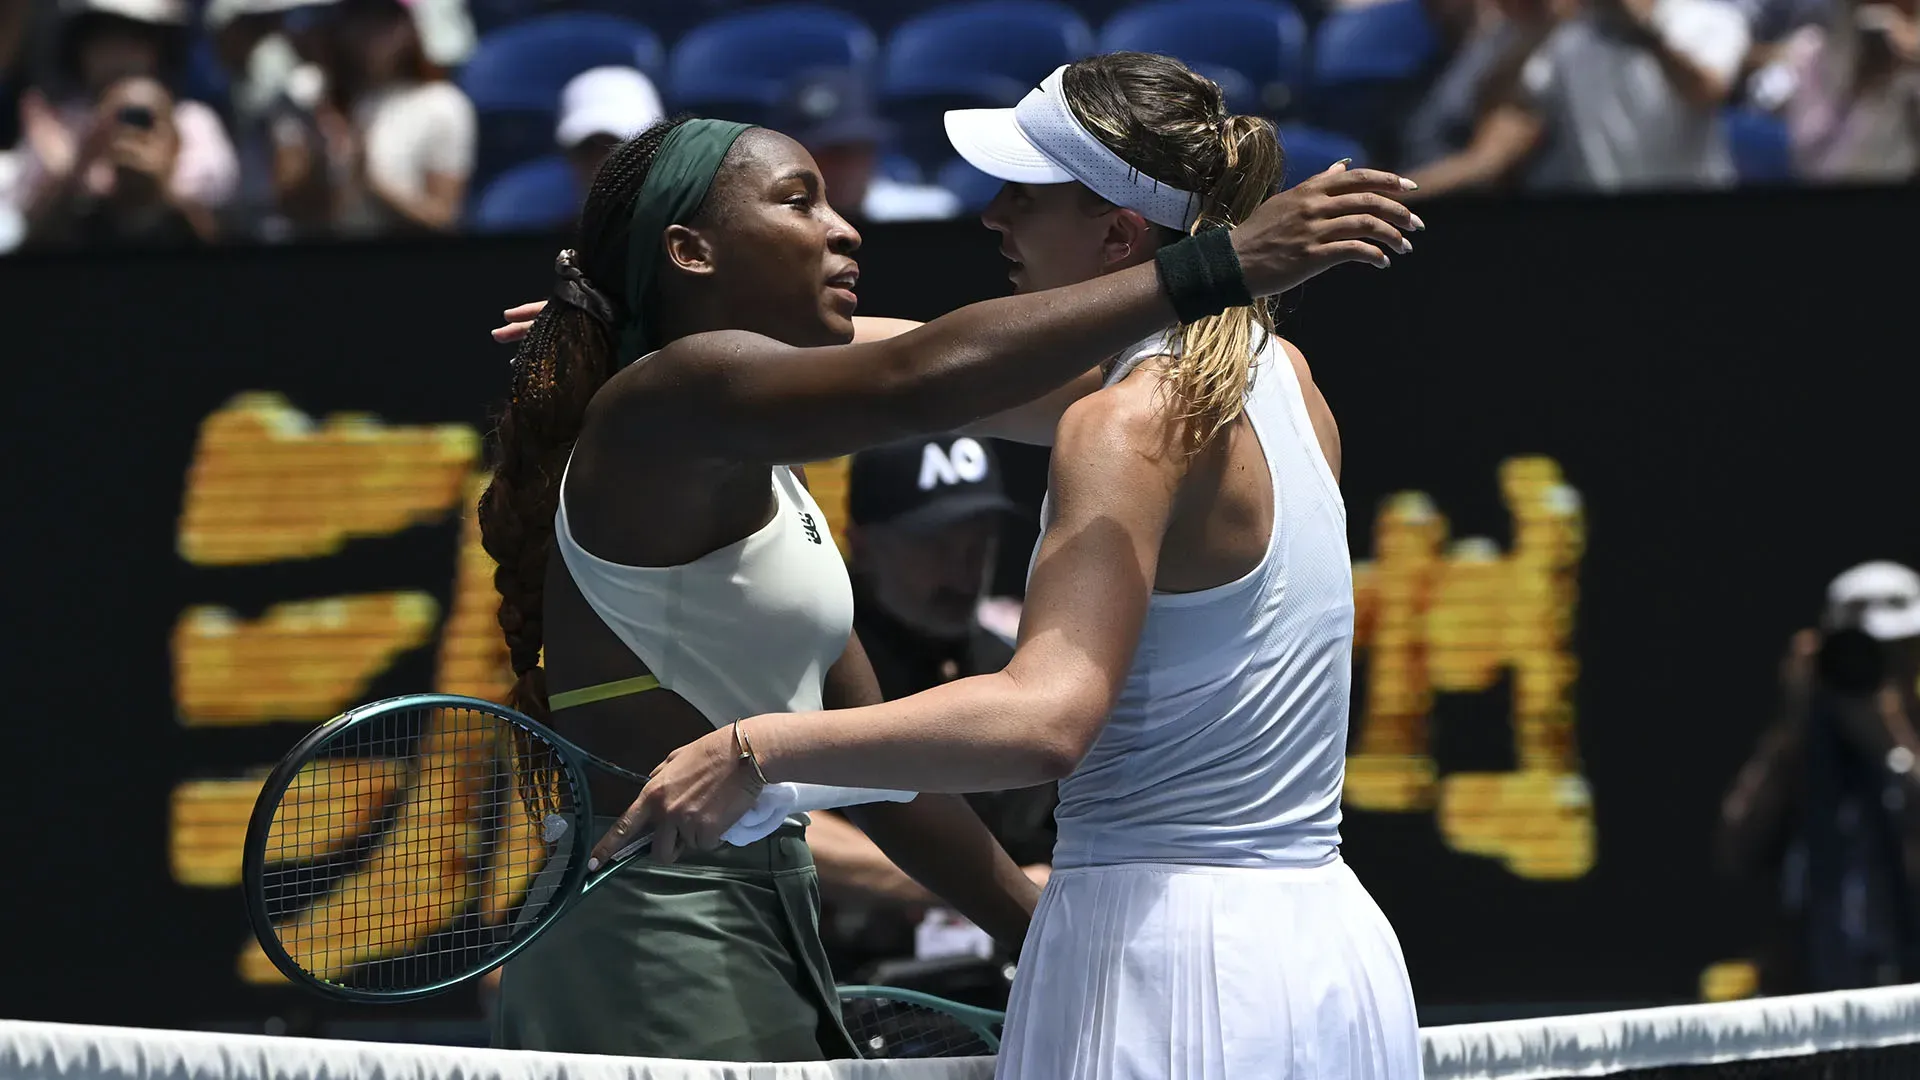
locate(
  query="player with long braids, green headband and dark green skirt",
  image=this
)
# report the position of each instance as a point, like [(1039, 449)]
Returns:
[(702, 339)]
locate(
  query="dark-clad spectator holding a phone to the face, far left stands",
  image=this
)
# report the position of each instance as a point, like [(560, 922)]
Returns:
[(137, 141)]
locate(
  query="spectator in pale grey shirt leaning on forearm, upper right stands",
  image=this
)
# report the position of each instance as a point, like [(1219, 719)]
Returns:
[(1621, 95)]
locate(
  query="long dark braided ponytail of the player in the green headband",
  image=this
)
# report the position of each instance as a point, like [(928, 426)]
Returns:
[(565, 358)]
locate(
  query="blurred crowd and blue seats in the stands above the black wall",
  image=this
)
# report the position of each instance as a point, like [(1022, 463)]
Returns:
[(195, 122)]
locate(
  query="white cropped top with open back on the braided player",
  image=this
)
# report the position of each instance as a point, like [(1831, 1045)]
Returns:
[(742, 631)]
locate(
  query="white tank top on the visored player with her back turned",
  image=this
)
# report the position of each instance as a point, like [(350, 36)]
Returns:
[(1228, 745)]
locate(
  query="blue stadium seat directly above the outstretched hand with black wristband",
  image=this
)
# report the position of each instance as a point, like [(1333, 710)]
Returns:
[(1370, 68)]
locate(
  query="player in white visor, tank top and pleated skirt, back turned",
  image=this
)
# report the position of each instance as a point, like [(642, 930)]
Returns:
[(1184, 656)]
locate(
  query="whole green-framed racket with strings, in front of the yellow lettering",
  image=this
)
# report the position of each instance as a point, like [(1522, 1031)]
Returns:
[(416, 845)]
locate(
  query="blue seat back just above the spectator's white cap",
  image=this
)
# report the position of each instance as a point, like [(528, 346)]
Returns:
[(527, 64)]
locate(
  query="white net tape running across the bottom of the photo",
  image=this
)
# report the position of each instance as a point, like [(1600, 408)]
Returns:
[(1861, 1035)]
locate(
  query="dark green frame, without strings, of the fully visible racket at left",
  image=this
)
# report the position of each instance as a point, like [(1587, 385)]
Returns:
[(569, 891)]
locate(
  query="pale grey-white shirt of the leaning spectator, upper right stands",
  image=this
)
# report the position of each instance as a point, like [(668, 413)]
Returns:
[(1612, 114)]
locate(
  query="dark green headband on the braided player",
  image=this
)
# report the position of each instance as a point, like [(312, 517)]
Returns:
[(677, 187)]
